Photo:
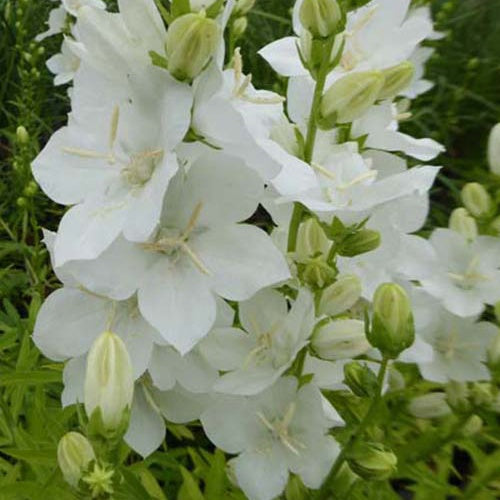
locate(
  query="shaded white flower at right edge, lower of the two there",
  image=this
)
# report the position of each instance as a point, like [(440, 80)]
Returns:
[(459, 344)]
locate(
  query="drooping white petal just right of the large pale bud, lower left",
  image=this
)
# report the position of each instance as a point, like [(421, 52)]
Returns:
[(146, 430)]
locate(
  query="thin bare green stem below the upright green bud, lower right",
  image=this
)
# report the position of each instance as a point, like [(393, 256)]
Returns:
[(324, 492)]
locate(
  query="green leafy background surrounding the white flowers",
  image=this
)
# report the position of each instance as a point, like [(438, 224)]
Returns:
[(443, 459)]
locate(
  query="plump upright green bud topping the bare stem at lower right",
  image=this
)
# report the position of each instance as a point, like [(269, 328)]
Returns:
[(393, 329)]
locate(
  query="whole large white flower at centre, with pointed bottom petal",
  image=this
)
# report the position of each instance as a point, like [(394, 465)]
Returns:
[(198, 252)]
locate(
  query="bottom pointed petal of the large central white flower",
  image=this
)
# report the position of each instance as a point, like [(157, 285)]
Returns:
[(177, 301)]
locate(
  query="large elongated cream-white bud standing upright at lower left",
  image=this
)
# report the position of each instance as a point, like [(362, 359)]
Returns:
[(109, 382)]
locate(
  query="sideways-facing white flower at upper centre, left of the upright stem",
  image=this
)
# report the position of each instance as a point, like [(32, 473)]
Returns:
[(229, 113)]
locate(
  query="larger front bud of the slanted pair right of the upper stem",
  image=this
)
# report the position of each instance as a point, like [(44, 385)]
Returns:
[(350, 97)]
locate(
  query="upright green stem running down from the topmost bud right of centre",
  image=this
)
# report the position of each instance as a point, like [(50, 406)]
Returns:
[(312, 130)]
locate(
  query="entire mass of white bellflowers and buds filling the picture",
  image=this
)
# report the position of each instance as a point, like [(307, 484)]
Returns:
[(166, 156)]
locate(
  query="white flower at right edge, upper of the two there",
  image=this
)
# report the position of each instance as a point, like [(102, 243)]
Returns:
[(464, 275)]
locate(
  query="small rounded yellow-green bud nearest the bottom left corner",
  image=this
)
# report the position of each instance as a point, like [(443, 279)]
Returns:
[(74, 453)]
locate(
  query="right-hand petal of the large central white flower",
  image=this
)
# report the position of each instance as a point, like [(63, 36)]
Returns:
[(242, 260)]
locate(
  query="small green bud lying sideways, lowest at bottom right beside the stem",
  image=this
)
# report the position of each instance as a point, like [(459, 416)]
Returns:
[(373, 462)]
